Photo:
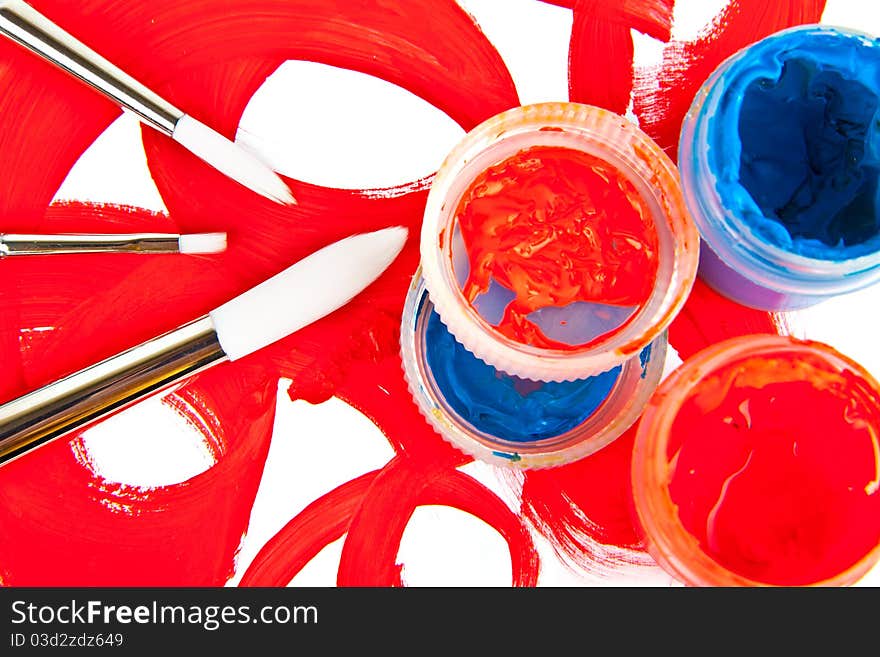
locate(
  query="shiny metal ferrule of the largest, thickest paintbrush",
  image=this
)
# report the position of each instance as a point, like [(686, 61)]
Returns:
[(71, 403)]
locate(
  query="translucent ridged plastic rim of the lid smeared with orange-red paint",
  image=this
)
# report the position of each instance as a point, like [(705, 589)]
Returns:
[(603, 135)]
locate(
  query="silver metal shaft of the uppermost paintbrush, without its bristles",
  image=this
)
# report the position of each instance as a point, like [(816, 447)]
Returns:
[(28, 27)]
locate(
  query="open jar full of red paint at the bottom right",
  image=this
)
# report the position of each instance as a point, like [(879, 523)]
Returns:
[(757, 463)]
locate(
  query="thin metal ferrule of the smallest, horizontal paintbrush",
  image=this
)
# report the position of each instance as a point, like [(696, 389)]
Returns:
[(24, 244)]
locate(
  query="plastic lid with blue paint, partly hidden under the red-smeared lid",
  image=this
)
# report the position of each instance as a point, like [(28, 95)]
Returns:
[(615, 410)]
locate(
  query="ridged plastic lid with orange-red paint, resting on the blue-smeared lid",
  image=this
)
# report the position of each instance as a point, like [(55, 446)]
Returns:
[(556, 244)]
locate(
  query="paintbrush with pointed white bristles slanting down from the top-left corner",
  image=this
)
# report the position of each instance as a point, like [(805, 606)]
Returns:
[(26, 26)]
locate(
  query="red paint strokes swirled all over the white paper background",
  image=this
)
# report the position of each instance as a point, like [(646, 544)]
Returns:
[(60, 523)]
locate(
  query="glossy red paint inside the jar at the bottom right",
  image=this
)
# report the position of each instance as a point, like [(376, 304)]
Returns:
[(775, 468)]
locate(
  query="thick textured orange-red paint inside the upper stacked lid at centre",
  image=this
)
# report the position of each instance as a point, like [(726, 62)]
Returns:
[(524, 222)]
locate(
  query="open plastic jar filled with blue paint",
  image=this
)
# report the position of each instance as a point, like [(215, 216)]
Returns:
[(779, 158)]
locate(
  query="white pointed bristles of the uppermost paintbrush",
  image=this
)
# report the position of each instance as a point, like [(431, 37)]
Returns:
[(229, 158)]
